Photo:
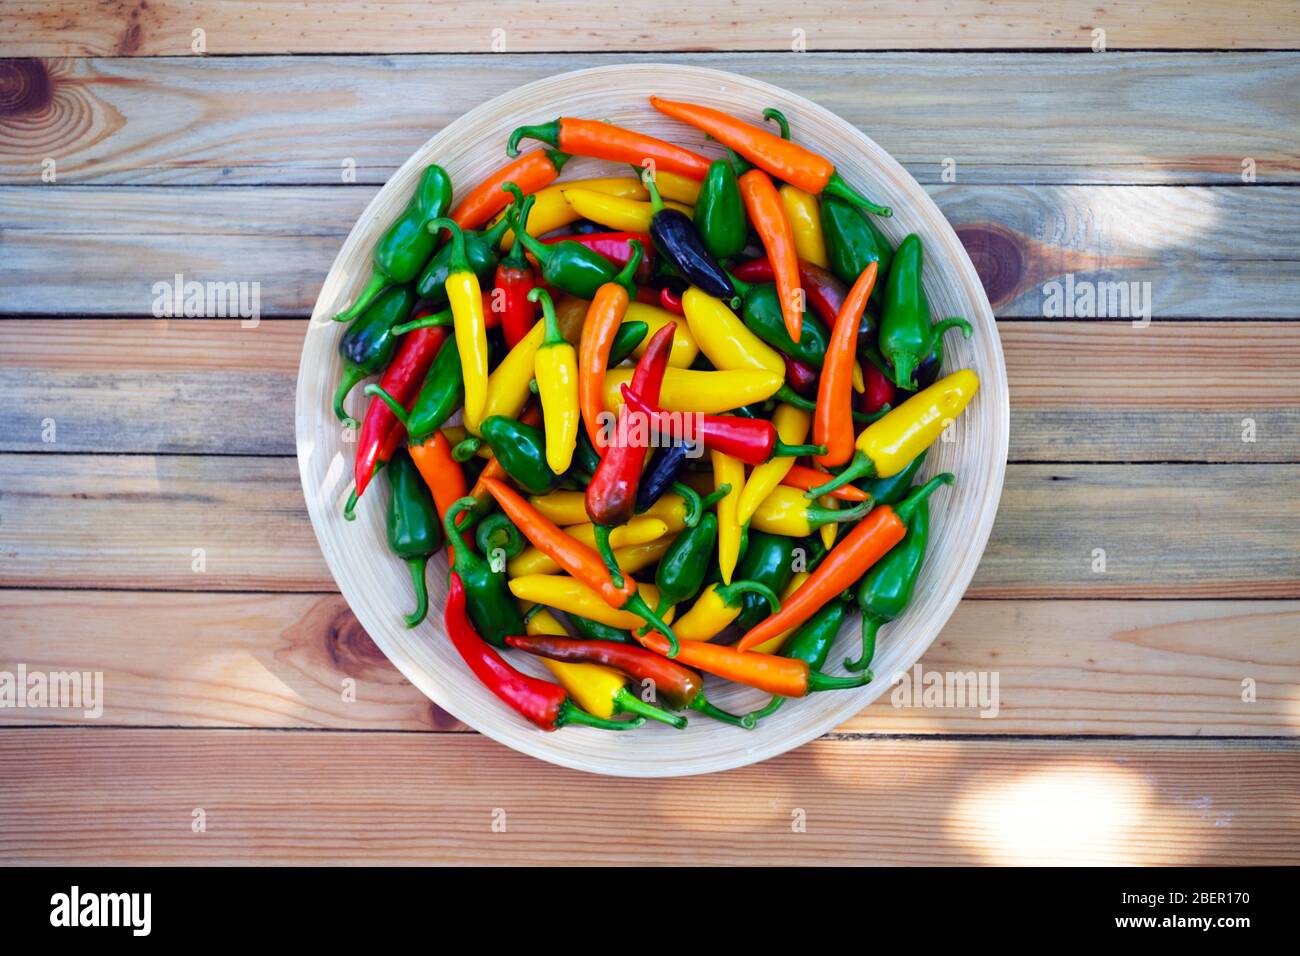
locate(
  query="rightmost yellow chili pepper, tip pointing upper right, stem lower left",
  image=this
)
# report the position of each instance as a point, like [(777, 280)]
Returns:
[(891, 443)]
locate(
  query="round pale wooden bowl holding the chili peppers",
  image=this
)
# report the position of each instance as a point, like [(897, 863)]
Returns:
[(378, 586)]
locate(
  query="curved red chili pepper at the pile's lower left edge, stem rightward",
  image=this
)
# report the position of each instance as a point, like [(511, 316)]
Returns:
[(541, 702)]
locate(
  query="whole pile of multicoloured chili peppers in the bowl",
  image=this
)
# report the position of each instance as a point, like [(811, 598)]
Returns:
[(683, 409)]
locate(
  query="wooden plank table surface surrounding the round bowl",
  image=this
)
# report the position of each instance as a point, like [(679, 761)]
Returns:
[(153, 525)]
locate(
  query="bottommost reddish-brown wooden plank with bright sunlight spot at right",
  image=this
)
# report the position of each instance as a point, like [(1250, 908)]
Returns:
[(123, 797)]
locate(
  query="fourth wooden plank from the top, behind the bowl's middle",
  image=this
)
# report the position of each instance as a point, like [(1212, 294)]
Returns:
[(1087, 392)]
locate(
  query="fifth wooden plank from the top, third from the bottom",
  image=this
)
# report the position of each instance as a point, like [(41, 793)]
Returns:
[(135, 522)]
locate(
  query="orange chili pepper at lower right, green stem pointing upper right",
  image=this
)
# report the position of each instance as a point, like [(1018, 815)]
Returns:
[(859, 551)]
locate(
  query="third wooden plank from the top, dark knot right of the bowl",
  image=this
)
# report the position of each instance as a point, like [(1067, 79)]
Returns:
[(1210, 253)]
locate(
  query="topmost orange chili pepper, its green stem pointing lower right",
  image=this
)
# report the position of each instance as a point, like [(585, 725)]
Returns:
[(770, 153)]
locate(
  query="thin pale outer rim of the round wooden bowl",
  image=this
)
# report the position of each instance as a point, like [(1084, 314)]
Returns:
[(831, 716)]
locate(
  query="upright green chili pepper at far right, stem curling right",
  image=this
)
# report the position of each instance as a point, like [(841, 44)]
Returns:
[(908, 338)]
